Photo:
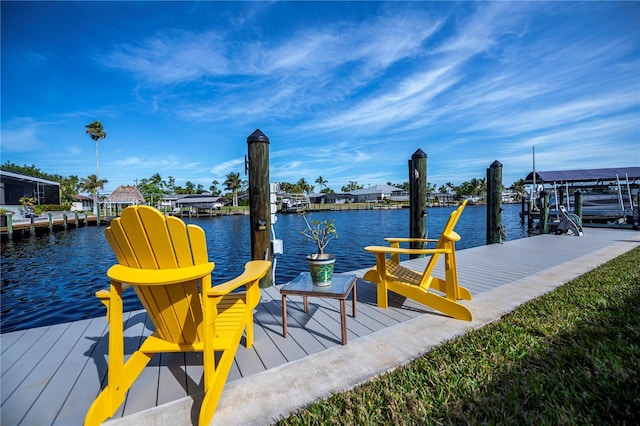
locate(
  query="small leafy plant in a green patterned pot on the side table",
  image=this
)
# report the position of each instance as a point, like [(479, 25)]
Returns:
[(320, 232)]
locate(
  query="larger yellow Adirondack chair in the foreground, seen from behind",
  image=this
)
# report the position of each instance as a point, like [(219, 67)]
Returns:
[(166, 263)]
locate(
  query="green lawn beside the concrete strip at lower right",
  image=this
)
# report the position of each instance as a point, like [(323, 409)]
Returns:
[(571, 356)]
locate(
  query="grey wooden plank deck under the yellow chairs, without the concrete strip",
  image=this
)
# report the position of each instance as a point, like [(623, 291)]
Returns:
[(50, 375)]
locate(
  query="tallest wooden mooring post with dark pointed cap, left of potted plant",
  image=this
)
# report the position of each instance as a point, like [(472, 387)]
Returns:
[(259, 200)]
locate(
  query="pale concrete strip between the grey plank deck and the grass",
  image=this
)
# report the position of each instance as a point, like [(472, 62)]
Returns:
[(275, 393)]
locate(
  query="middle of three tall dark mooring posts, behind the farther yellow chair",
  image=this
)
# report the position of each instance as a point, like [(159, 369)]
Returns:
[(418, 199)]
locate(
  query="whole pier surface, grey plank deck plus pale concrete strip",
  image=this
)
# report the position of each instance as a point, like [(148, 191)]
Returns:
[(50, 375)]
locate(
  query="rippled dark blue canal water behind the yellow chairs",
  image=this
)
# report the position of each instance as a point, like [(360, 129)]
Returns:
[(50, 279)]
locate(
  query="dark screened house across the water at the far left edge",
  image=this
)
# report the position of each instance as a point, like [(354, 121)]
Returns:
[(14, 186)]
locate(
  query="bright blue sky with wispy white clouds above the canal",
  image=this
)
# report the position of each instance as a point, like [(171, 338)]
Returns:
[(344, 90)]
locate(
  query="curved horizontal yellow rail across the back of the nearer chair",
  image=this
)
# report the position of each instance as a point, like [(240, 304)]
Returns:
[(135, 276)]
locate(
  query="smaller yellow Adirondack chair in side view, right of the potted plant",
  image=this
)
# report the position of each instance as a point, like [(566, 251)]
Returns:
[(388, 274)]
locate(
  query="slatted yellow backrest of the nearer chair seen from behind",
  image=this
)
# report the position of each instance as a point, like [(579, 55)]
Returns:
[(143, 238)]
